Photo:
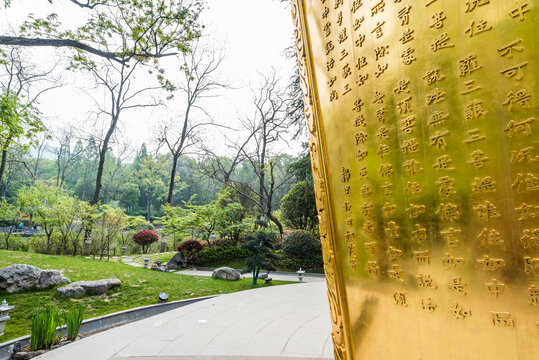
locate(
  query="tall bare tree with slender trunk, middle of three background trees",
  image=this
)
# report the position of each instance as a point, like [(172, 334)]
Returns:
[(198, 71)]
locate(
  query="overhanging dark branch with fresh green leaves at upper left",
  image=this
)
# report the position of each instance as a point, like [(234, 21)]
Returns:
[(146, 29)]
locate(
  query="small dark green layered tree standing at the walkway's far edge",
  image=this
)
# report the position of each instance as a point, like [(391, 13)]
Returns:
[(261, 245)]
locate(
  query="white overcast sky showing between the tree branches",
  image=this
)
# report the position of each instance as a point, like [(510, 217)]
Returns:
[(254, 34)]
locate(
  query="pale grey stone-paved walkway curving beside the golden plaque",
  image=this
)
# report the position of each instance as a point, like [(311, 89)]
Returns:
[(278, 322)]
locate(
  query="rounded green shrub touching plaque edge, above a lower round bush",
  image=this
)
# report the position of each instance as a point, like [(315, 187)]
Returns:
[(299, 207)]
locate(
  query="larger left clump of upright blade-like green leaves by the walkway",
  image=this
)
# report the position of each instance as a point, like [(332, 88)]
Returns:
[(44, 323)]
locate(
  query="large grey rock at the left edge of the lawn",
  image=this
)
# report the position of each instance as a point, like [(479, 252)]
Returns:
[(21, 276)]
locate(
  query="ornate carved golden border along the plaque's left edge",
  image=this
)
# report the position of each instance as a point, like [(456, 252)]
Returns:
[(328, 243)]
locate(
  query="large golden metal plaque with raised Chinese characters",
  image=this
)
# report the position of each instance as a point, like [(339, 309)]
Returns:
[(423, 131)]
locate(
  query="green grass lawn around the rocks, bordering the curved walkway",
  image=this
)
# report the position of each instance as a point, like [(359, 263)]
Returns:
[(139, 287)]
